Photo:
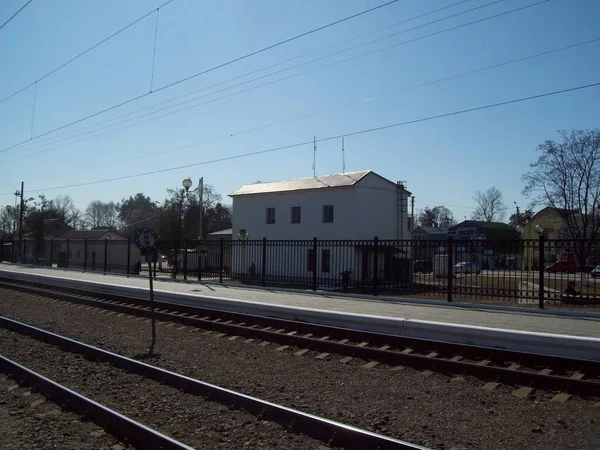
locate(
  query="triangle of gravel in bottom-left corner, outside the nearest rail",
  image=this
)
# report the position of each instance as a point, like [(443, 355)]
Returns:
[(28, 421)]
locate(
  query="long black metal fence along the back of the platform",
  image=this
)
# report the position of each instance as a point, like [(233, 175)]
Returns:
[(524, 272)]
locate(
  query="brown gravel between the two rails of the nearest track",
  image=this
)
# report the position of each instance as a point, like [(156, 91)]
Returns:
[(185, 417)]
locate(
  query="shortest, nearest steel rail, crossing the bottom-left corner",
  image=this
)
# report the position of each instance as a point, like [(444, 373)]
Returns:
[(118, 425)]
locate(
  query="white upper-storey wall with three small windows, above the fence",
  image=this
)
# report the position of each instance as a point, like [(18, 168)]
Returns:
[(363, 211)]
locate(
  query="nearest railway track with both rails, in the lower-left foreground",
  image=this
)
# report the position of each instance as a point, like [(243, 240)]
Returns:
[(332, 433)]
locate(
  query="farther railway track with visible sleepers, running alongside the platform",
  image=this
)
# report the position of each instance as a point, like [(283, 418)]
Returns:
[(527, 371)]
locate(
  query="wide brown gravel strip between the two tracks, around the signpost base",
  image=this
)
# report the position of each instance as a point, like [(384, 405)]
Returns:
[(428, 409)]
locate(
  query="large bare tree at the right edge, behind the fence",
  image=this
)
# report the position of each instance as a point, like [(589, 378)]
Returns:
[(566, 176)]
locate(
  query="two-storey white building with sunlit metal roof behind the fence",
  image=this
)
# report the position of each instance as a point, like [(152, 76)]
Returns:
[(357, 206)]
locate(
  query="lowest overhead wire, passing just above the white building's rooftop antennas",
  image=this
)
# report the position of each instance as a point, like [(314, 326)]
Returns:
[(330, 138)]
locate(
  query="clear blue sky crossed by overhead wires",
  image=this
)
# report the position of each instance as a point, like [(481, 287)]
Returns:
[(443, 161)]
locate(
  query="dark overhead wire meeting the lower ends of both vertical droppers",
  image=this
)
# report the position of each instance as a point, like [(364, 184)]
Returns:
[(219, 66)]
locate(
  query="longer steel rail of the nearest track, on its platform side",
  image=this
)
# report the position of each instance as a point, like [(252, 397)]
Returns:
[(328, 431)]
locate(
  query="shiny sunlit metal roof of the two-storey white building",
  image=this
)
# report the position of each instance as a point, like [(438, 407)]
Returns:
[(300, 184)]
